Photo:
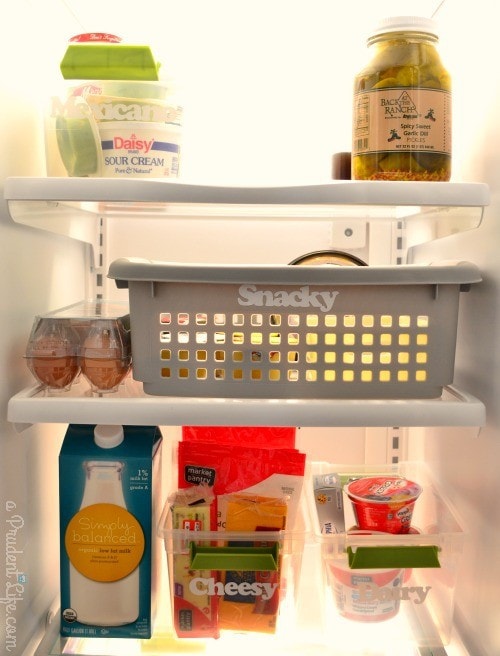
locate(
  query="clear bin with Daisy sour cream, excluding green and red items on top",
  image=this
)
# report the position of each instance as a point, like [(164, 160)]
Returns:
[(114, 129)]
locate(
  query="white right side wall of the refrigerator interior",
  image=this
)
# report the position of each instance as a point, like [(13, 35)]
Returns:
[(468, 467)]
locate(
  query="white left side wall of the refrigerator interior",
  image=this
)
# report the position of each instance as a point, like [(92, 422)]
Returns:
[(38, 271)]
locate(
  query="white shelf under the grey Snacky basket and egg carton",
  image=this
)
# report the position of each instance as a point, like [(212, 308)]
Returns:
[(131, 406)]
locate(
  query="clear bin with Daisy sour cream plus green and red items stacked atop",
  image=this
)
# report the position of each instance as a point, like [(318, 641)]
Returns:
[(114, 117)]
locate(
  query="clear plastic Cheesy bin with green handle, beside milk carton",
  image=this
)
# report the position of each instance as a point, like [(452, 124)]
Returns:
[(224, 582)]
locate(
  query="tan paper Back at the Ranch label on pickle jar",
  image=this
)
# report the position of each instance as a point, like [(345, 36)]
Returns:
[(402, 120)]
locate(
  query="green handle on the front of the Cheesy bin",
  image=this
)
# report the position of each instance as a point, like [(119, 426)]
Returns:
[(244, 558)]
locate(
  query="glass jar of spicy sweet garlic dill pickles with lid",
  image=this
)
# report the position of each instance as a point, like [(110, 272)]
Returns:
[(402, 105)]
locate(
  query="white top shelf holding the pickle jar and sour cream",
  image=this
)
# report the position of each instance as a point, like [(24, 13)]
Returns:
[(70, 206)]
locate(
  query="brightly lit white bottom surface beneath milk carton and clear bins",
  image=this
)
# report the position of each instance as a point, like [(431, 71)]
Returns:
[(342, 638)]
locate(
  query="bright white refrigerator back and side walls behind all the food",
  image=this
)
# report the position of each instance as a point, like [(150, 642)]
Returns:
[(267, 92)]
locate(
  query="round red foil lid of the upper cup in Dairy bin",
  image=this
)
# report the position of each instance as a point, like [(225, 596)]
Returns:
[(383, 490)]
